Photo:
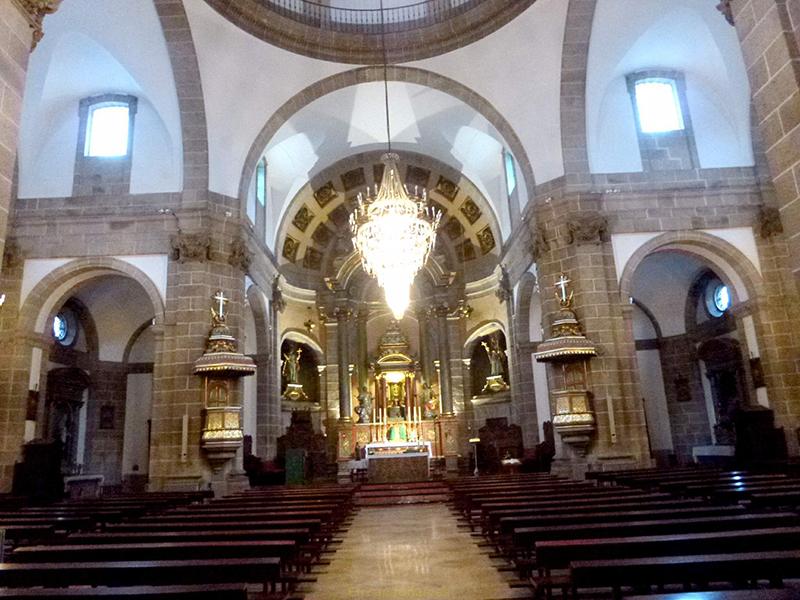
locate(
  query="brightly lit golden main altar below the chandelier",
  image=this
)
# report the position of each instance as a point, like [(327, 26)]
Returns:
[(397, 428)]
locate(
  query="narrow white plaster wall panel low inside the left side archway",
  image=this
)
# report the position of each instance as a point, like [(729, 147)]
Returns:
[(135, 448)]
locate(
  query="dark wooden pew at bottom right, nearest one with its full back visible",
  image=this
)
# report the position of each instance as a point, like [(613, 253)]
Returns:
[(772, 566)]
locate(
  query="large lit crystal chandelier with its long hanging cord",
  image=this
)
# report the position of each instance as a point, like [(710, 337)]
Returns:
[(393, 233)]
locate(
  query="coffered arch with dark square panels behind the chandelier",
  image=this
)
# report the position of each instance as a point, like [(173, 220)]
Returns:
[(314, 238)]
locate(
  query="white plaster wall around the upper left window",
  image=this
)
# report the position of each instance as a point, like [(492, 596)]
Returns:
[(82, 55)]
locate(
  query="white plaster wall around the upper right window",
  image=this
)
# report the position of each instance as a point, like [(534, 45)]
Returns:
[(655, 36)]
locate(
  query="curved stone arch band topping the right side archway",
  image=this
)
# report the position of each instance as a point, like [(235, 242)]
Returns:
[(733, 267)]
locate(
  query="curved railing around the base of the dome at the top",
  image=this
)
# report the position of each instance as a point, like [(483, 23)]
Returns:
[(368, 20)]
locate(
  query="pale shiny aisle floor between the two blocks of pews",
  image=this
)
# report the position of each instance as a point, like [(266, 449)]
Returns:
[(415, 552)]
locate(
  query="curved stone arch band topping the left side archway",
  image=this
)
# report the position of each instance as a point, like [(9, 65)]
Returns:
[(53, 290)]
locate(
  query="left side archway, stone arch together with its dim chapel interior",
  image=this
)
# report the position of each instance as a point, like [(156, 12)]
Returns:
[(100, 328)]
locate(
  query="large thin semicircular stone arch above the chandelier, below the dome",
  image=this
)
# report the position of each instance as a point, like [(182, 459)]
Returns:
[(376, 73)]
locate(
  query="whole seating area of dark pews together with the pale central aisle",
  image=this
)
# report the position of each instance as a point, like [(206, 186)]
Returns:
[(719, 534)]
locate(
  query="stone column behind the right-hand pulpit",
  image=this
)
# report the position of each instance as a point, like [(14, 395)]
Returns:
[(621, 439)]
